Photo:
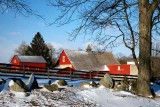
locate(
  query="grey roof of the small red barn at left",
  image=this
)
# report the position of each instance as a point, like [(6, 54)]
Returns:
[(34, 59)]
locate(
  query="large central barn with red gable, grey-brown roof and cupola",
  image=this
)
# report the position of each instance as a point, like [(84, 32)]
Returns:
[(86, 60)]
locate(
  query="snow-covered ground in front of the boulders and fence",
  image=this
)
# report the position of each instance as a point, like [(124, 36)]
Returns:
[(76, 97)]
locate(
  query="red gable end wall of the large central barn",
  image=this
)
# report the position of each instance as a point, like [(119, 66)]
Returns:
[(66, 62)]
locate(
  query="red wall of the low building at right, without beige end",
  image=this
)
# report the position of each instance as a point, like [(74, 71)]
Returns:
[(123, 69)]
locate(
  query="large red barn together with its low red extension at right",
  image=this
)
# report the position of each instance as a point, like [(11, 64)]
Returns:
[(94, 61)]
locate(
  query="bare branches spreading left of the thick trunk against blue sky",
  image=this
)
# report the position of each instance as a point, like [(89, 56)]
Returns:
[(97, 16)]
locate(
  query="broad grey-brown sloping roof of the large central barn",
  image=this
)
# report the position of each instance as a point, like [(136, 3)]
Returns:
[(83, 60)]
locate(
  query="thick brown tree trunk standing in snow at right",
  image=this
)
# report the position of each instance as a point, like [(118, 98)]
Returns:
[(145, 23)]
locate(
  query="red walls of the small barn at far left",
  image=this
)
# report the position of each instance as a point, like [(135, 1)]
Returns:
[(16, 61)]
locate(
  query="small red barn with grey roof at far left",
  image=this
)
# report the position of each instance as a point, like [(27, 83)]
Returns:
[(35, 63)]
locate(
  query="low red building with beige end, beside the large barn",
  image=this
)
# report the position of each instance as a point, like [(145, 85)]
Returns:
[(123, 69)]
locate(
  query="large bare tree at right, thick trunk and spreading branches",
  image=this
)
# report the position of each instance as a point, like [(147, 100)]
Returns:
[(134, 19)]
